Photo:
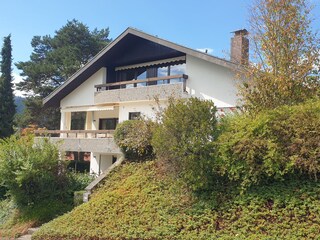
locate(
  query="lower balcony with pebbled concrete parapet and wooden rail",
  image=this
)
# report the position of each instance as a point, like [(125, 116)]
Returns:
[(100, 141)]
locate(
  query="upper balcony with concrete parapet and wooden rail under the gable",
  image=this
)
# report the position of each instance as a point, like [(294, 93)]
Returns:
[(146, 89)]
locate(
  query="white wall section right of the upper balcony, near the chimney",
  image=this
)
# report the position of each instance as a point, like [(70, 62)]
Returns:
[(210, 81)]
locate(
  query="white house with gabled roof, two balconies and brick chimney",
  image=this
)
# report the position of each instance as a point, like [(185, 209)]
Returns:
[(122, 81)]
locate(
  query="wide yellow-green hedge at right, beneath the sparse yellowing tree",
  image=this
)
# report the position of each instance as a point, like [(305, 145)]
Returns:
[(271, 144)]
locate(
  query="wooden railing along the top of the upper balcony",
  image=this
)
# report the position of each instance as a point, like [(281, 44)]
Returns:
[(147, 81)]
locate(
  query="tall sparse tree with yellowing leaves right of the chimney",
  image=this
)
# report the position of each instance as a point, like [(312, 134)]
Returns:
[(286, 52)]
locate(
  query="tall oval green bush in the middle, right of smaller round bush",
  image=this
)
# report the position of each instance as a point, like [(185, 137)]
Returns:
[(185, 140)]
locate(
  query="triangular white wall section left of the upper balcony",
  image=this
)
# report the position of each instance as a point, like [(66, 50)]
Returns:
[(84, 94)]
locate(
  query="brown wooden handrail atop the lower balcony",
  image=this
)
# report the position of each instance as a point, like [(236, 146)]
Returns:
[(108, 133)]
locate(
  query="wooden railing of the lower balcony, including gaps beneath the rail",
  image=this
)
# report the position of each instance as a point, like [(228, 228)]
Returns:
[(75, 133)]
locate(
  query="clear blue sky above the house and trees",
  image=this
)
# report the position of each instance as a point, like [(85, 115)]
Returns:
[(194, 23)]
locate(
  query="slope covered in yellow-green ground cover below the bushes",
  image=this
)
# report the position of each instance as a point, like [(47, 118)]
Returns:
[(136, 202)]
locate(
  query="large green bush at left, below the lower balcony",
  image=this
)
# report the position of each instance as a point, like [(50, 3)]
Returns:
[(36, 180)]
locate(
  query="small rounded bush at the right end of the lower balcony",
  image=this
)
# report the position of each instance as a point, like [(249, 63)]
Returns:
[(134, 139)]
